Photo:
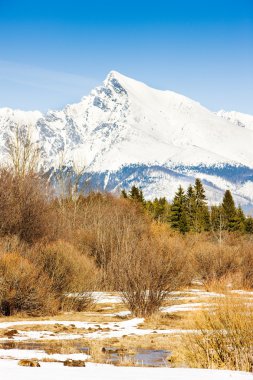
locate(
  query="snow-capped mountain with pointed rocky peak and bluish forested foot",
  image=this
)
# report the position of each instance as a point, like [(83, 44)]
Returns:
[(128, 133)]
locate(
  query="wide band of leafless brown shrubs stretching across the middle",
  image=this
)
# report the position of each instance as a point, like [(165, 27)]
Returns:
[(55, 251)]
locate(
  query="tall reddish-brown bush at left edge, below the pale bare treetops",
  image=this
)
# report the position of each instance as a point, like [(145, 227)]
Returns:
[(25, 209)]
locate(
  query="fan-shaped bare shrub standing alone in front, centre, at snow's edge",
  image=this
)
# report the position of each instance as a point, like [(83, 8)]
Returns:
[(146, 271)]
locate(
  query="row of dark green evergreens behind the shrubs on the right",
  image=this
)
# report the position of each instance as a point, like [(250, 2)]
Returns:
[(189, 211)]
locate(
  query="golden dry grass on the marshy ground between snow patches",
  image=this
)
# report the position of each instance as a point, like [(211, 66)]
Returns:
[(185, 347)]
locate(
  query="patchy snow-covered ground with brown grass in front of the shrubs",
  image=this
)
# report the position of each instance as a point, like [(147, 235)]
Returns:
[(108, 322)]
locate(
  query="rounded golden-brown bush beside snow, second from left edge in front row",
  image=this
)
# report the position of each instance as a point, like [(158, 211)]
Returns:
[(73, 275)]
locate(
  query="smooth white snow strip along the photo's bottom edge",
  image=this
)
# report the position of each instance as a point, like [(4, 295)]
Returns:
[(54, 371)]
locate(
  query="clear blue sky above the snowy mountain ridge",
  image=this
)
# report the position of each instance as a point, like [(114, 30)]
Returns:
[(54, 52)]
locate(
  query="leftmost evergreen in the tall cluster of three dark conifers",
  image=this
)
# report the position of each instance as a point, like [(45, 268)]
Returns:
[(178, 212)]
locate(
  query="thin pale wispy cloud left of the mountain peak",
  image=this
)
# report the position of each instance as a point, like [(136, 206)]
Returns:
[(40, 88)]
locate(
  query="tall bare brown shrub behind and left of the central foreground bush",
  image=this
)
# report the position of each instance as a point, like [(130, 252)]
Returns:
[(107, 225)]
